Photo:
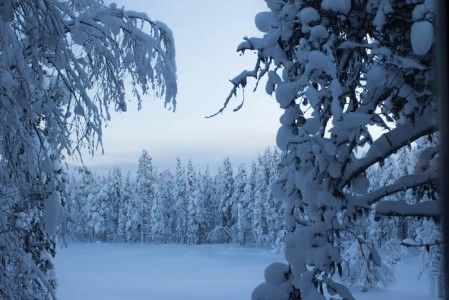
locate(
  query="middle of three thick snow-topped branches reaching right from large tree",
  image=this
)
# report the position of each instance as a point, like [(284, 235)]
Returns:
[(403, 183)]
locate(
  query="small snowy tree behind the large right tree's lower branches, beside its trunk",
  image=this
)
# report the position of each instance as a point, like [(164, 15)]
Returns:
[(383, 234)]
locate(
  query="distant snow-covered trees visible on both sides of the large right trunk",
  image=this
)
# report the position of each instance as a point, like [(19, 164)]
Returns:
[(194, 207)]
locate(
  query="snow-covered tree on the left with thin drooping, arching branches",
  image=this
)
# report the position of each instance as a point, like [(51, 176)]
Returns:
[(63, 66)]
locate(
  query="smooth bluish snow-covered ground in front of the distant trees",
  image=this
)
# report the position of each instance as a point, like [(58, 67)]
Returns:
[(117, 271)]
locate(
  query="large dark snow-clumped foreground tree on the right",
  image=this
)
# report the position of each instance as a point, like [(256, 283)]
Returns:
[(338, 69)]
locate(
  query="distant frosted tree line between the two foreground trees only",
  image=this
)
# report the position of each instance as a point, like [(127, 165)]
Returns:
[(185, 206)]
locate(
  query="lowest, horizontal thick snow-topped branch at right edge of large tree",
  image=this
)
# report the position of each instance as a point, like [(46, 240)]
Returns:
[(402, 209)]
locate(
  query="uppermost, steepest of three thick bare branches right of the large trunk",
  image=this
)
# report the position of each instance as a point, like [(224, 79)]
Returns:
[(391, 142)]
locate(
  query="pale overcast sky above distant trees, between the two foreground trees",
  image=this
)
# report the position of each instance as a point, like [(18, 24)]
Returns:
[(206, 34)]
